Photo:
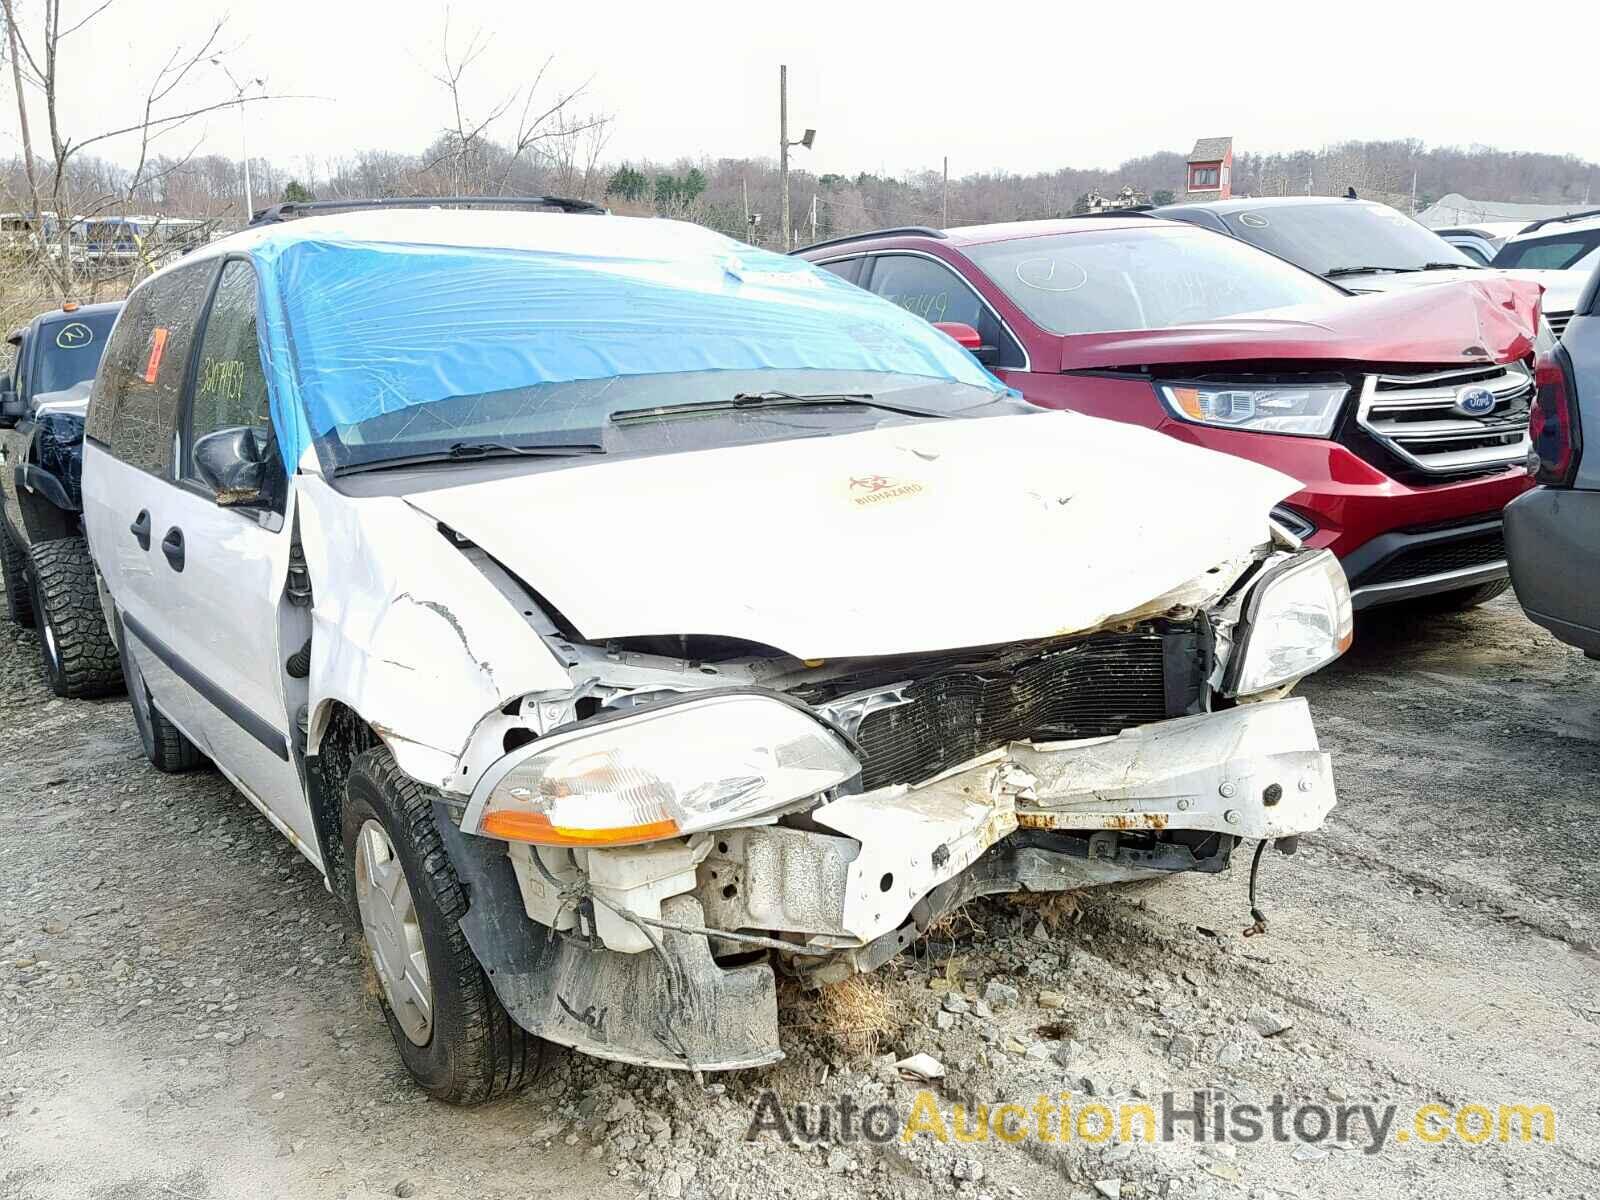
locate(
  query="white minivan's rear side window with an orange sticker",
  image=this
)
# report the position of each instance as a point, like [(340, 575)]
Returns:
[(146, 380)]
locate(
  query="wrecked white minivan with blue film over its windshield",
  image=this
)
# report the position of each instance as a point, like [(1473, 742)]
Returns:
[(618, 615)]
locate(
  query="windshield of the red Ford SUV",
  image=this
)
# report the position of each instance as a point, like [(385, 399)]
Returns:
[(1142, 279)]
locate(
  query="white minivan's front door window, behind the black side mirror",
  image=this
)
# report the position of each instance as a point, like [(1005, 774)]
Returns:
[(231, 386)]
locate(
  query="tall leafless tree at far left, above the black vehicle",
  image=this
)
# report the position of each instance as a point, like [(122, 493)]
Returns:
[(36, 68)]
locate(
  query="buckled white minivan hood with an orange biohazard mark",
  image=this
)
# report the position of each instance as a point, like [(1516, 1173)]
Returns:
[(895, 540)]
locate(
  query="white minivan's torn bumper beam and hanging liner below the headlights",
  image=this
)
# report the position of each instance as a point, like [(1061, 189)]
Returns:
[(868, 873)]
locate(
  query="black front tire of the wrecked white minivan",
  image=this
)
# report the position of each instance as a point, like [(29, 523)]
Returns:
[(468, 1050)]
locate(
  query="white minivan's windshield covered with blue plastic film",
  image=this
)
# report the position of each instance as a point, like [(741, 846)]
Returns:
[(391, 348)]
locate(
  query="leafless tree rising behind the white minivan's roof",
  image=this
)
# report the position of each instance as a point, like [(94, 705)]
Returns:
[(546, 126)]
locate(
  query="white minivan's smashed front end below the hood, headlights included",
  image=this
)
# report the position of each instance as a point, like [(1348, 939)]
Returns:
[(647, 847)]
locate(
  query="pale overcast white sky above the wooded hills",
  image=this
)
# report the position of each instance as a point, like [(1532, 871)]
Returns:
[(890, 89)]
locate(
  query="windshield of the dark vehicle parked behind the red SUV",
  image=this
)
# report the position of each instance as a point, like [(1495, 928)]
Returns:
[(1343, 234)]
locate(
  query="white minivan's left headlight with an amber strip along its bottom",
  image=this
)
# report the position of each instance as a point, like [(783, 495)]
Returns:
[(660, 774)]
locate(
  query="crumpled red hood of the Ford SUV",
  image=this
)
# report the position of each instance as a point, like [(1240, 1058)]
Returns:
[(1481, 321)]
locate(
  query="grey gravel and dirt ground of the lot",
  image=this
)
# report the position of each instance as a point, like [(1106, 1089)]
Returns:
[(185, 1015)]
